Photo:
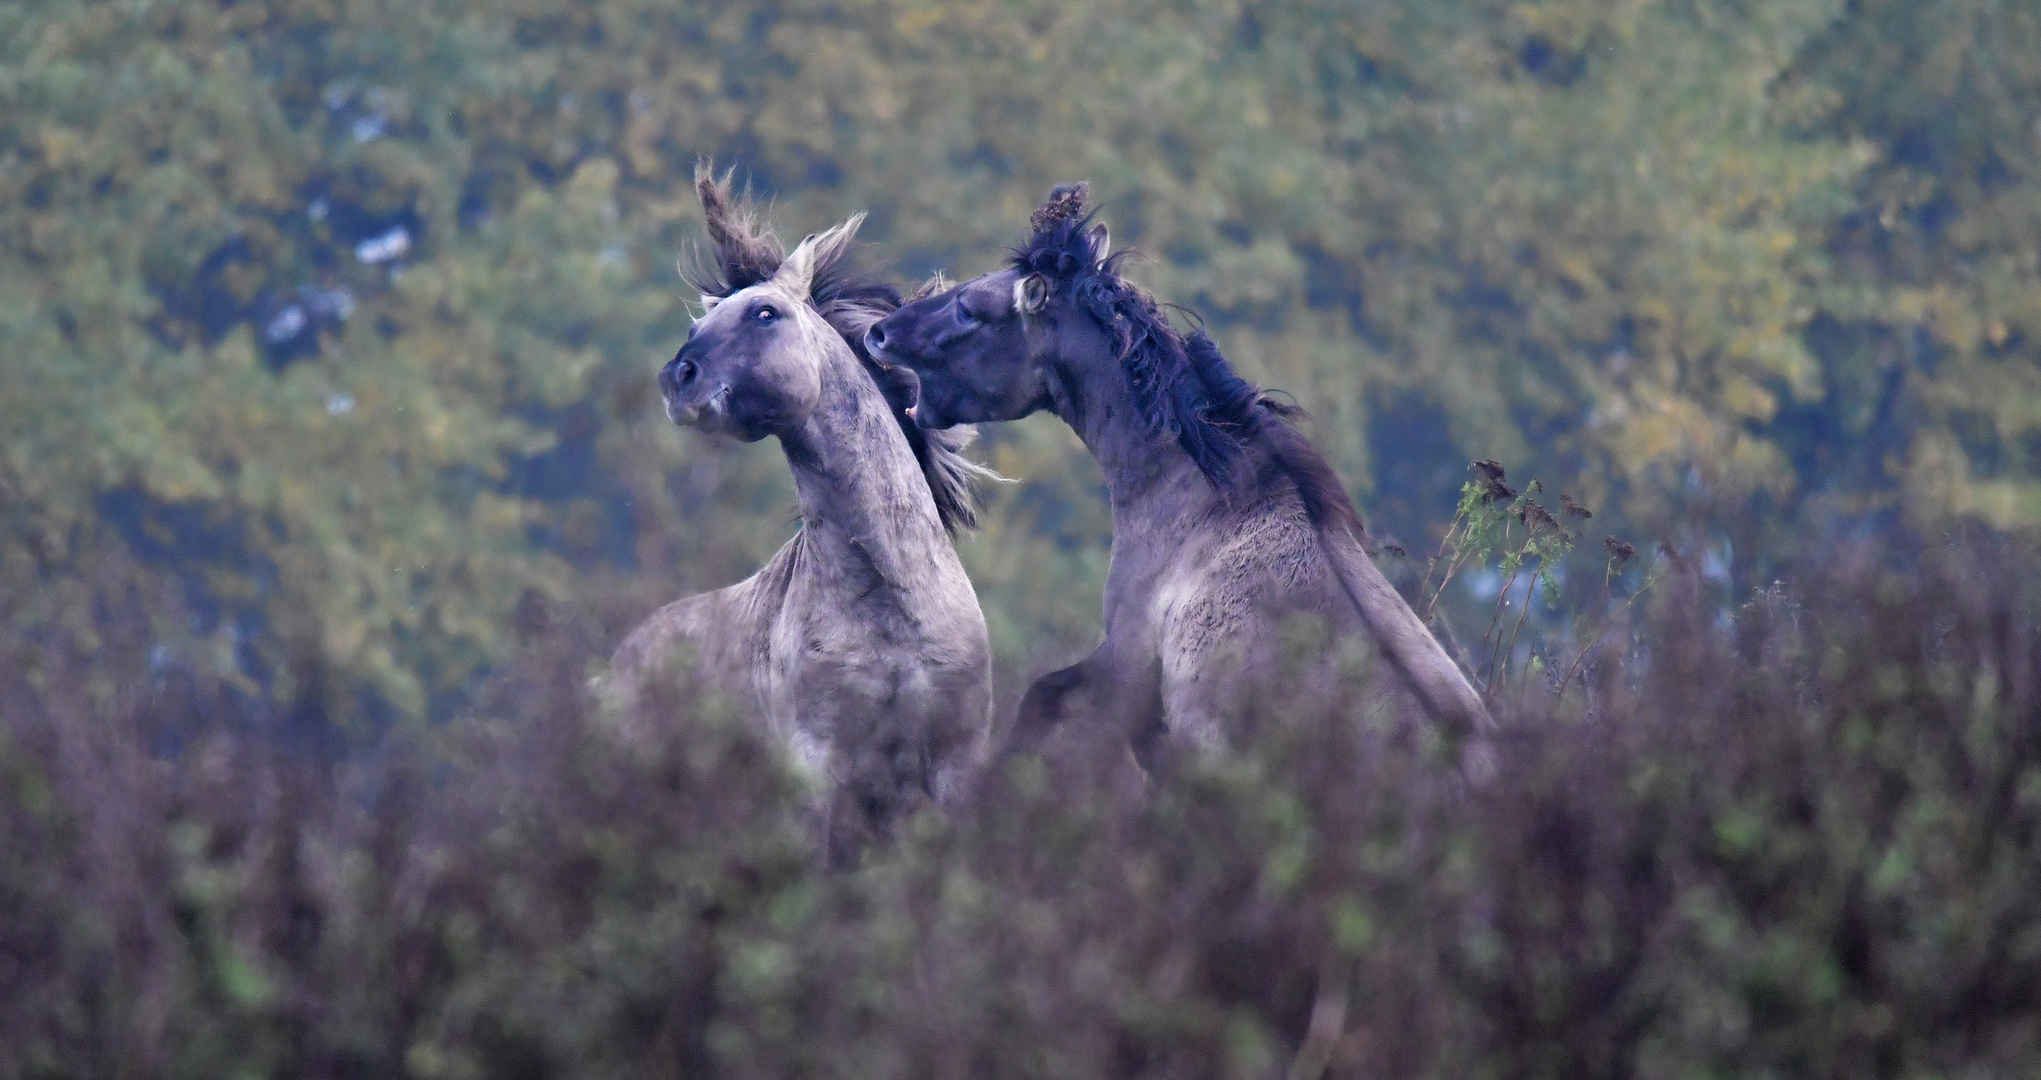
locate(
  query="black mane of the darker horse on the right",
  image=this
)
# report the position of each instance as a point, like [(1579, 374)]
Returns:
[(1183, 385)]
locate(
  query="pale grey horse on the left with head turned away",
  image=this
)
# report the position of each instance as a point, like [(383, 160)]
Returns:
[(860, 644)]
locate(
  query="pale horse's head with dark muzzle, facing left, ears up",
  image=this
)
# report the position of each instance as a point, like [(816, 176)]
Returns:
[(754, 362)]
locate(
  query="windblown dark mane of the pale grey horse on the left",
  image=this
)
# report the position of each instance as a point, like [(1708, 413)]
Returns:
[(744, 252)]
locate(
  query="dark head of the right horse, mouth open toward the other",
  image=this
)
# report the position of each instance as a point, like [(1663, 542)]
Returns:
[(987, 350)]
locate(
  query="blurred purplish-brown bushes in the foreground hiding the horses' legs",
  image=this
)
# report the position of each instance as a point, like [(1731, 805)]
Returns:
[(1799, 840)]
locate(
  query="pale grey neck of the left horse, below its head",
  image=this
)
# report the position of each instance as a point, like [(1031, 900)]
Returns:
[(864, 501)]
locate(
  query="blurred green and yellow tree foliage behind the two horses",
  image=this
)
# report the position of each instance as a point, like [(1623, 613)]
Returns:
[(342, 315)]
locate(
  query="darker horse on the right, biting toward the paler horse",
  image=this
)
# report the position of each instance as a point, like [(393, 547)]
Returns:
[(1228, 526)]
